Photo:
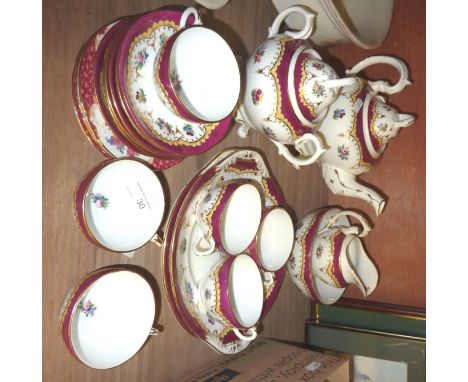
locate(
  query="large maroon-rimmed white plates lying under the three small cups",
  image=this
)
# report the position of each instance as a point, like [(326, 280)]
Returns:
[(183, 269)]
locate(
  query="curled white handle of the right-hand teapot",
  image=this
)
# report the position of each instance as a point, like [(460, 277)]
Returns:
[(382, 86)]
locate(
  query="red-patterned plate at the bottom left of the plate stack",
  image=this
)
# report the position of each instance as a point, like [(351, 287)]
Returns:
[(88, 111)]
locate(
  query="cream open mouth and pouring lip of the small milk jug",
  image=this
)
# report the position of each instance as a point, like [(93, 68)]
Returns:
[(357, 267)]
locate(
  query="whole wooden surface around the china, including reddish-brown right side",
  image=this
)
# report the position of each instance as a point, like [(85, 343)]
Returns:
[(397, 242)]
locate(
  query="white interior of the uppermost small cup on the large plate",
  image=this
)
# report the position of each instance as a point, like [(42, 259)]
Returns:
[(240, 219)]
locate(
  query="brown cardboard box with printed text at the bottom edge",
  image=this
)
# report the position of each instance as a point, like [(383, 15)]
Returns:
[(267, 360)]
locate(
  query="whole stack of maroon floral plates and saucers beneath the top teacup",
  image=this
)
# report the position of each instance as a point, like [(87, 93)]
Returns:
[(116, 102)]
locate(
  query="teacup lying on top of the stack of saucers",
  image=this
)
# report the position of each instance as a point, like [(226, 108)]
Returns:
[(196, 74)]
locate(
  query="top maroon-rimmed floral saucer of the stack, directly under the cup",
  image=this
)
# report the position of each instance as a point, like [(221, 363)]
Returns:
[(136, 86)]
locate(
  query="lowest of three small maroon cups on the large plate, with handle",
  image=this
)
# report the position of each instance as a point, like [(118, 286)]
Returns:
[(234, 292)]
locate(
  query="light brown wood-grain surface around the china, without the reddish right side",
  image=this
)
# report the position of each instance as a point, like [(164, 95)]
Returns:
[(67, 157)]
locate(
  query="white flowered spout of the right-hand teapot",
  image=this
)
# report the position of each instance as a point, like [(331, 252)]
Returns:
[(342, 182)]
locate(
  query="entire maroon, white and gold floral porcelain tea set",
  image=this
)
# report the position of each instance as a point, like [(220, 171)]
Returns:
[(152, 89)]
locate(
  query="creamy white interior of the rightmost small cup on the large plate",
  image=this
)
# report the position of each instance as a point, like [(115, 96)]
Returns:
[(275, 239)]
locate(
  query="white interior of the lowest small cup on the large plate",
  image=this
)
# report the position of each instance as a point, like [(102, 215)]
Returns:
[(245, 290)]
